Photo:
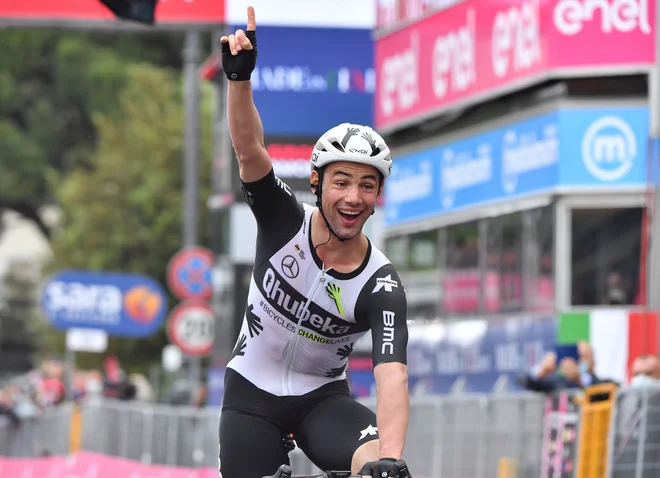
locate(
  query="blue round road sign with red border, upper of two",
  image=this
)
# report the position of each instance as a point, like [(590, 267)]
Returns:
[(189, 274)]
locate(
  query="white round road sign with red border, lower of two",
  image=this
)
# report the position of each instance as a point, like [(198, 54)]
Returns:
[(191, 327)]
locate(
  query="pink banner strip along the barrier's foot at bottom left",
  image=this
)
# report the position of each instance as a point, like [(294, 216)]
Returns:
[(92, 465)]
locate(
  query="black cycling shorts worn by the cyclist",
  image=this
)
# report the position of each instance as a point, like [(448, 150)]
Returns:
[(328, 425)]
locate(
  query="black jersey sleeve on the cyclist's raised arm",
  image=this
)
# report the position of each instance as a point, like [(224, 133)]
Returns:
[(276, 209)]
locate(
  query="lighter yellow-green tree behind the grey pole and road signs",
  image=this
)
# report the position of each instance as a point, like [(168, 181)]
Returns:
[(122, 211)]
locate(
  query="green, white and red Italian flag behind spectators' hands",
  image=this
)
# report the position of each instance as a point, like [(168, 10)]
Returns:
[(617, 337)]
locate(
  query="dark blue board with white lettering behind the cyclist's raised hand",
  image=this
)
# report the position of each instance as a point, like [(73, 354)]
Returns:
[(303, 87)]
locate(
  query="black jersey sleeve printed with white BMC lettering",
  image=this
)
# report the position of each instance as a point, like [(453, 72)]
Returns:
[(383, 303)]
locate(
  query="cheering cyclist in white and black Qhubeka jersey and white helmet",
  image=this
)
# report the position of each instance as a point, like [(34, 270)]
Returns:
[(317, 286)]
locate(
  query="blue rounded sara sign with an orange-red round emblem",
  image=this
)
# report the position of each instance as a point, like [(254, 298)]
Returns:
[(121, 304)]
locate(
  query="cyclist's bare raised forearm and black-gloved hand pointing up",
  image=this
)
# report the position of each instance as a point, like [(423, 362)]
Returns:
[(239, 58)]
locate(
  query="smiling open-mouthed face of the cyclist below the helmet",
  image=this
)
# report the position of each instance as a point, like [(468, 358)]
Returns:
[(349, 195)]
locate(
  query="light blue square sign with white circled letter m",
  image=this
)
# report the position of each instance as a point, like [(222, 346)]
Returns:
[(607, 146)]
